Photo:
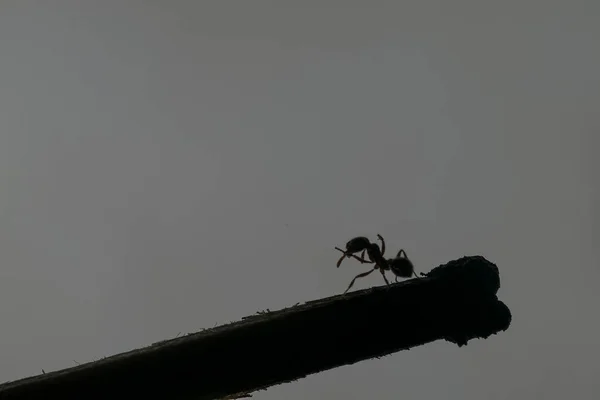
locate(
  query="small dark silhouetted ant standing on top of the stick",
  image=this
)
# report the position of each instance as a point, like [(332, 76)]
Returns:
[(401, 265)]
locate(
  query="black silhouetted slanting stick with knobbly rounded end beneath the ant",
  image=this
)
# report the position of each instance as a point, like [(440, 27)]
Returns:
[(456, 302)]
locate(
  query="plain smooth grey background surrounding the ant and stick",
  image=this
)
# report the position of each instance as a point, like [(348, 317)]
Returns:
[(169, 166)]
